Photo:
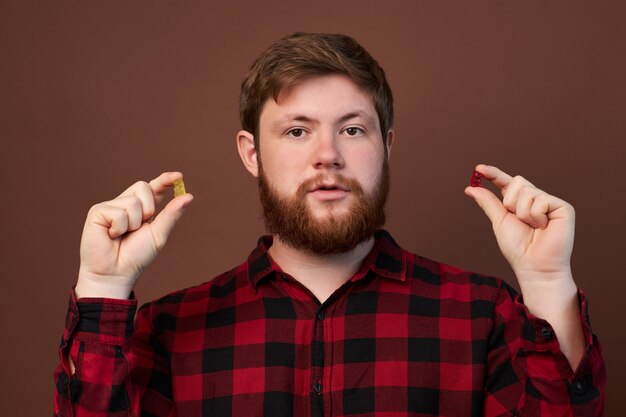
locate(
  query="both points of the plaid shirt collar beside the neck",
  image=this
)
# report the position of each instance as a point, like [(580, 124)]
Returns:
[(386, 259)]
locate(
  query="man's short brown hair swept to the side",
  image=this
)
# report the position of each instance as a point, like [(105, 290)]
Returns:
[(303, 55)]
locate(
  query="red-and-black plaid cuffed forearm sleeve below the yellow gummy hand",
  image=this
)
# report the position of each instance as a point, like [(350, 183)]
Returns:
[(97, 338)]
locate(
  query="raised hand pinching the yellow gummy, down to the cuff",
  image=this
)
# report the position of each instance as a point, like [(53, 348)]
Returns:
[(119, 241)]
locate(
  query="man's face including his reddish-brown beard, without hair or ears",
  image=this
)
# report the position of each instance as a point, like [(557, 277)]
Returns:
[(323, 174)]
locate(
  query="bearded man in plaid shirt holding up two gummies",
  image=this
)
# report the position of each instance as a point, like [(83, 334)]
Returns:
[(328, 316)]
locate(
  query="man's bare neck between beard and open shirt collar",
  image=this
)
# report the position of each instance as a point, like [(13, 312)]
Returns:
[(320, 274)]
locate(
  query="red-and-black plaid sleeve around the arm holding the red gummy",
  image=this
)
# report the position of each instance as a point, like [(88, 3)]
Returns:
[(527, 372)]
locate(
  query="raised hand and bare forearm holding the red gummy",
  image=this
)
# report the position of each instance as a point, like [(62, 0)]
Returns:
[(535, 232)]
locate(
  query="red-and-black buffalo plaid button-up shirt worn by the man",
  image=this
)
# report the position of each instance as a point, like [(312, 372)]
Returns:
[(405, 336)]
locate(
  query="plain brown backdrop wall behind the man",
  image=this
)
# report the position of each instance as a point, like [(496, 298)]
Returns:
[(96, 95)]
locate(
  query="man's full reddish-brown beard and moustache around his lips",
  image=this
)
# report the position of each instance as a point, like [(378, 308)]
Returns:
[(291, 220)]
